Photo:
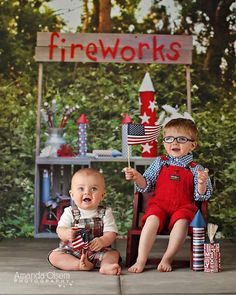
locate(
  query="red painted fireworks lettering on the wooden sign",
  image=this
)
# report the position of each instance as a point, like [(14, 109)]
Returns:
[(119, 49)]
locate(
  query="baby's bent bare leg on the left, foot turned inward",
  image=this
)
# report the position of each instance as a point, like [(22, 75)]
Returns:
[(66, 261)]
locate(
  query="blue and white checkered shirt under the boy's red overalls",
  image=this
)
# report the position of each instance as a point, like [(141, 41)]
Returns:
[(153, 171)]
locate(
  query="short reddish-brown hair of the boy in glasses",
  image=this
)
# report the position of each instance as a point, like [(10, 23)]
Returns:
[(185, 124)]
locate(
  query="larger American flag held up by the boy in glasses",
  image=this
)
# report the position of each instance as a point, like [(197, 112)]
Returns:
[(138, 133)]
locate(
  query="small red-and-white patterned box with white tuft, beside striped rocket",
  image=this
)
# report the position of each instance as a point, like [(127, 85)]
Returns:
[(212, 259)]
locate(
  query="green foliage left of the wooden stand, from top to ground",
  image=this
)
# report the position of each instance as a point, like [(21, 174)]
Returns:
[(19, 22)]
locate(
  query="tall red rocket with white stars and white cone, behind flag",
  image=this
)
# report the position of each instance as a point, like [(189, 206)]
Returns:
[(148, 113)]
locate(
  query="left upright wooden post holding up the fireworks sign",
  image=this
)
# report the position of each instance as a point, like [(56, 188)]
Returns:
[(38, 123)]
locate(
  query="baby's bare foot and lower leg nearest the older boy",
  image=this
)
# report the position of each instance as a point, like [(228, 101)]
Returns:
[(110, 263)]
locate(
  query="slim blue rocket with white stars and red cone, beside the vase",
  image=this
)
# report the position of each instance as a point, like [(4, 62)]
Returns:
[(82, 135)]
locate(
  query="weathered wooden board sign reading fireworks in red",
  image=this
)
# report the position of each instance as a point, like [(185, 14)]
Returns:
[(120, 48)]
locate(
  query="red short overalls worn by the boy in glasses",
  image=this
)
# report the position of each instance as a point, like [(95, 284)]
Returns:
[(173, 196)]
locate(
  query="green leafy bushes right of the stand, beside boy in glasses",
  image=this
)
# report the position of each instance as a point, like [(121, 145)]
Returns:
[(216, 150)]
